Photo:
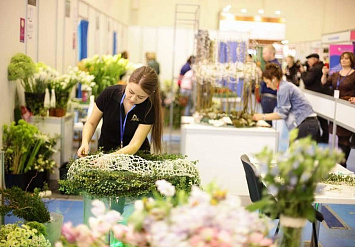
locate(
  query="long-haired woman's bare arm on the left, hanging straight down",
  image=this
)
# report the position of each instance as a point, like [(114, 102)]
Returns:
[(88, 131)]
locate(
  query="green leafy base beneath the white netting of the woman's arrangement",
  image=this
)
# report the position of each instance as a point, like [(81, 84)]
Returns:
[(97, 183)]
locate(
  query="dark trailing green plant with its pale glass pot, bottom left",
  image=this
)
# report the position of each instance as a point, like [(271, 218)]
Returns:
[(30, 207)]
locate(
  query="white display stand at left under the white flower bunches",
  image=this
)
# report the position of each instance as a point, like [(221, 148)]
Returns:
[(62, 126)]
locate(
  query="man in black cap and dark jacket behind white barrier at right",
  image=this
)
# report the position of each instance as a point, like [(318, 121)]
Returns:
[(312, 81)]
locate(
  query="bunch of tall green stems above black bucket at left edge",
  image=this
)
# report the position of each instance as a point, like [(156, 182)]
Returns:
[(26, 148)]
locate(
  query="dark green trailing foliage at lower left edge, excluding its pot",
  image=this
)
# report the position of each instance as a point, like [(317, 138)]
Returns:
[(23, 204)]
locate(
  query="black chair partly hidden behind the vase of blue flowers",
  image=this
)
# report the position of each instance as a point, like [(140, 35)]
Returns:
[(255, 187)]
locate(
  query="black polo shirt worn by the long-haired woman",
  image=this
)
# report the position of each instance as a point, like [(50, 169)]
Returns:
[(109, 103)]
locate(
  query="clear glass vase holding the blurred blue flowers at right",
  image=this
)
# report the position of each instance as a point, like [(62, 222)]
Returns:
[(292, 231)]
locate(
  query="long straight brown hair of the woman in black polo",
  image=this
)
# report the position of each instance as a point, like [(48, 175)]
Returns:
[(147, 78)]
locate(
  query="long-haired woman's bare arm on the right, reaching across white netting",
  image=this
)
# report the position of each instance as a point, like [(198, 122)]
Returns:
[(137, 140)]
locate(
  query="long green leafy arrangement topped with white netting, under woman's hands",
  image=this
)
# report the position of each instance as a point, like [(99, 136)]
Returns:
[(128, 175)]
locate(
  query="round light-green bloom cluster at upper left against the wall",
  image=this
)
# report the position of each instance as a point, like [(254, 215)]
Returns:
[(20, 67)]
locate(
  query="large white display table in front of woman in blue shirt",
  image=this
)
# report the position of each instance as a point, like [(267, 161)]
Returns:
[(218, 151)]
